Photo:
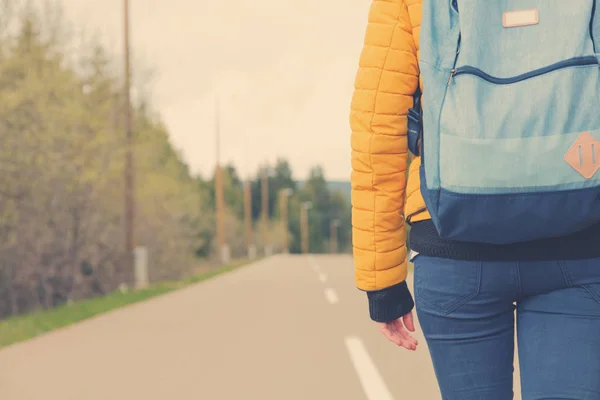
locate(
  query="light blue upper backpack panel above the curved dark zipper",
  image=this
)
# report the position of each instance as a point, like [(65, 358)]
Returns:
[(561, 30)]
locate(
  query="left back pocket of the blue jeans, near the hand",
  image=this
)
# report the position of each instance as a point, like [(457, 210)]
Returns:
[(445, 285)]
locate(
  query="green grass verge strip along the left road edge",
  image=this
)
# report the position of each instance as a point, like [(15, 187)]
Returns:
[(28, 326)]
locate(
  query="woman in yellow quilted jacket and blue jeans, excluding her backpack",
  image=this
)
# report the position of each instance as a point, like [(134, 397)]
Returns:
[(467, 292)]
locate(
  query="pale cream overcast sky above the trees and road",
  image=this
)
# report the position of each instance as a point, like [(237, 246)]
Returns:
[(284, 70)]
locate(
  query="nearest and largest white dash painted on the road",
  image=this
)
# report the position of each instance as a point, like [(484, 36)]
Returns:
[(368, 374)]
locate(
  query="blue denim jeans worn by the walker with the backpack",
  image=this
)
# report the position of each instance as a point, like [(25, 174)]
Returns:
[(467, 313)]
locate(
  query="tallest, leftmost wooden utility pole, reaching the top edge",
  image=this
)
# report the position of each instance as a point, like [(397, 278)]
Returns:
[(129, 149)]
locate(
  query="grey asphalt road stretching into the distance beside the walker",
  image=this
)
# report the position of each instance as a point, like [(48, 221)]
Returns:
[(285, 328)]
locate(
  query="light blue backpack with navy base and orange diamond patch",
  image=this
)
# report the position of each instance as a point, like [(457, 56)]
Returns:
[(511, 118)]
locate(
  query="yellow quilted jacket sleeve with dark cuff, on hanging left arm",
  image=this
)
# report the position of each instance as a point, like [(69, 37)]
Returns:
[(387, 78)]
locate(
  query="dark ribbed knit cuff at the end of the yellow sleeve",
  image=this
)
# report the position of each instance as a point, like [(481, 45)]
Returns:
[(391, 303)]
